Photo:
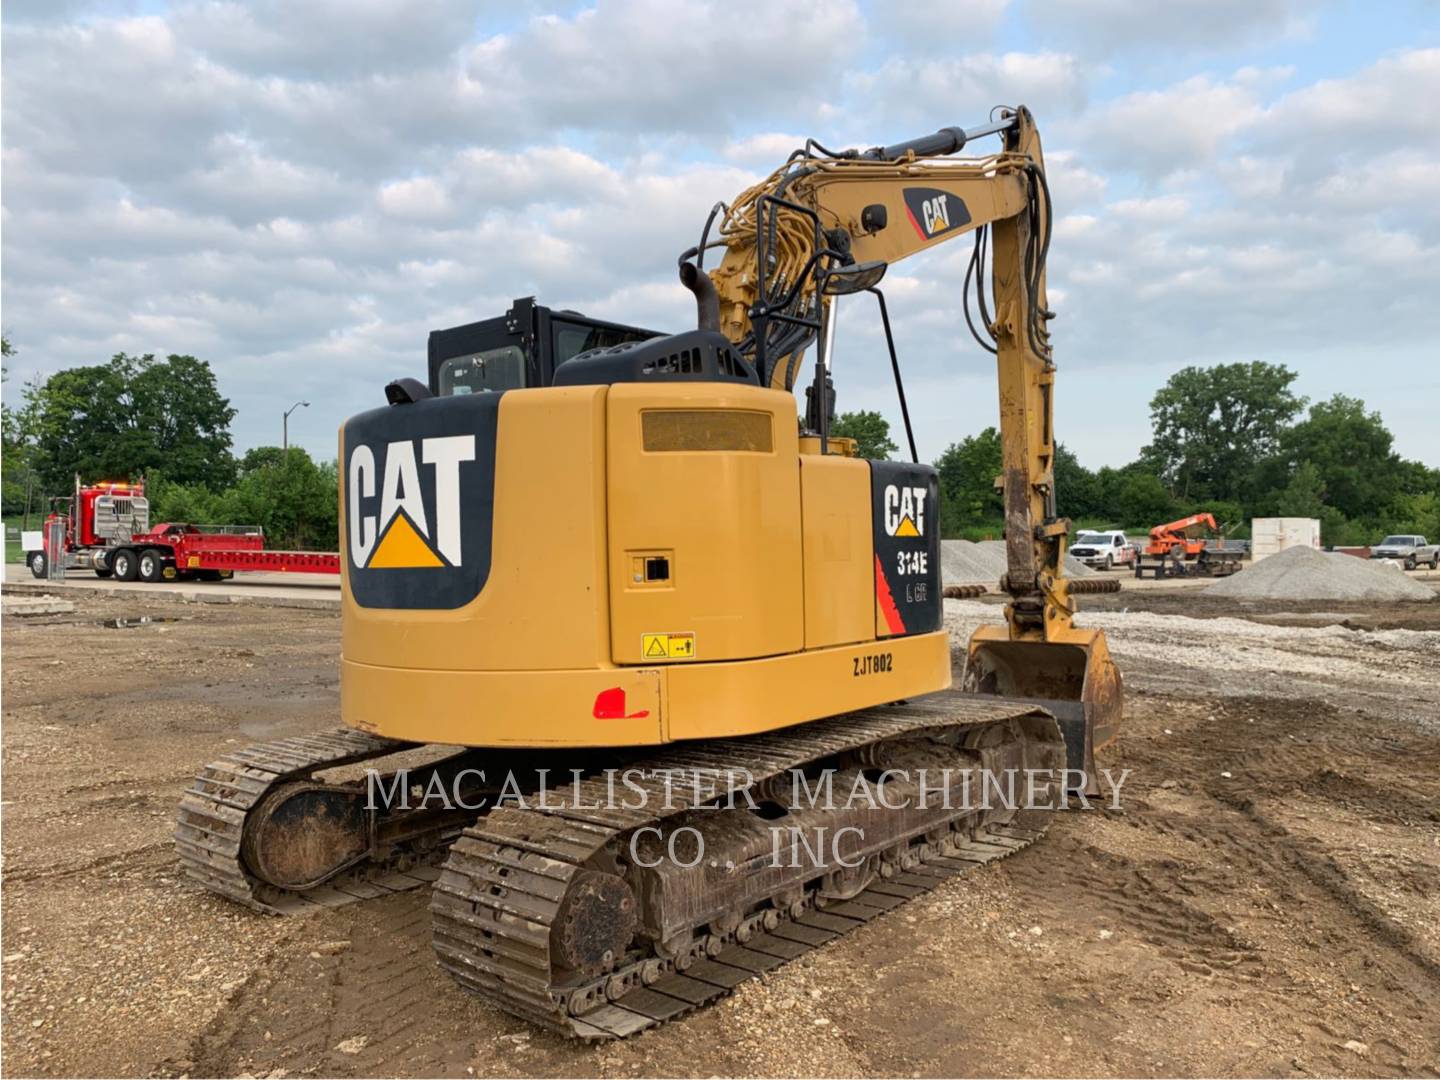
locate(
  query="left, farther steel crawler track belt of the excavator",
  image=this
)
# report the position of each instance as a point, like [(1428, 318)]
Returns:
[(212, 820)]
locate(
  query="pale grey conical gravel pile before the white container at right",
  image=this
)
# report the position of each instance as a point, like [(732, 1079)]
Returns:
[(1302, 574)]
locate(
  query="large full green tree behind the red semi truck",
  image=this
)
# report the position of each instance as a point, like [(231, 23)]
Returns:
[(130, 417)]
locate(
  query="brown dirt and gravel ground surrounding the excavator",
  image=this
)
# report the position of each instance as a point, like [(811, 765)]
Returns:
[(1265, 904)]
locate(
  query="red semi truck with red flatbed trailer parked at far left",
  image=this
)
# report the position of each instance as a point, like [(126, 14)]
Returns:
[(106, 528)]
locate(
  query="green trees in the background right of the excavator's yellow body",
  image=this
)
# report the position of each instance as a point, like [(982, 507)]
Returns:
[(1232, 440)]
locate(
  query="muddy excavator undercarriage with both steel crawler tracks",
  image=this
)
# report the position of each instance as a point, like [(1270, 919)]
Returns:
[(603, 902)]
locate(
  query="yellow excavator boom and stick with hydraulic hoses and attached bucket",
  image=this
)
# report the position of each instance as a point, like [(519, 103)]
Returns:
[(829, 224)]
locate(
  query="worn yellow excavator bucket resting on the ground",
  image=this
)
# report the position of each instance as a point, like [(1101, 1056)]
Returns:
[(1072, 678)]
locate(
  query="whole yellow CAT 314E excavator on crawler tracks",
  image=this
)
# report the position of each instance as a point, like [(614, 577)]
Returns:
[(672, 654)]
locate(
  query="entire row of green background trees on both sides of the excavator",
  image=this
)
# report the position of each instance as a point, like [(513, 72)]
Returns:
[(1233, 440)]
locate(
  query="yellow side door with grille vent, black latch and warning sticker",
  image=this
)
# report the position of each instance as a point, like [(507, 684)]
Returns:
[(705, 523)]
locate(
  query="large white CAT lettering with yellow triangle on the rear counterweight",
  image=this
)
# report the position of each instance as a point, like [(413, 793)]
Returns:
[(404, 536)]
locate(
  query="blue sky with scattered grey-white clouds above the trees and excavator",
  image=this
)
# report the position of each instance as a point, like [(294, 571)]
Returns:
[(300, 191)]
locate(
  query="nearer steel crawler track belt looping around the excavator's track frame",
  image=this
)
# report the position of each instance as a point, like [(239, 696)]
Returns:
[(502, 899)]
